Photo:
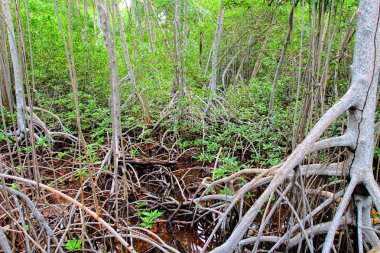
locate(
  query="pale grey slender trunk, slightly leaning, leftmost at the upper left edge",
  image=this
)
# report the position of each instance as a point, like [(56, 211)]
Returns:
[(17, 70)]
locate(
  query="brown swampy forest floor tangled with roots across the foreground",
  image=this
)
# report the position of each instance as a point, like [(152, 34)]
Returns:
[(153, 190)]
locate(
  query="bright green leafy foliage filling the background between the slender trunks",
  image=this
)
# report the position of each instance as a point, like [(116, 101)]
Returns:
[(242, 131)]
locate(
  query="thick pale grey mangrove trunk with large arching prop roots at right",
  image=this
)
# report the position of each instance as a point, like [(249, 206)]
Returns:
[(360, 101)]
